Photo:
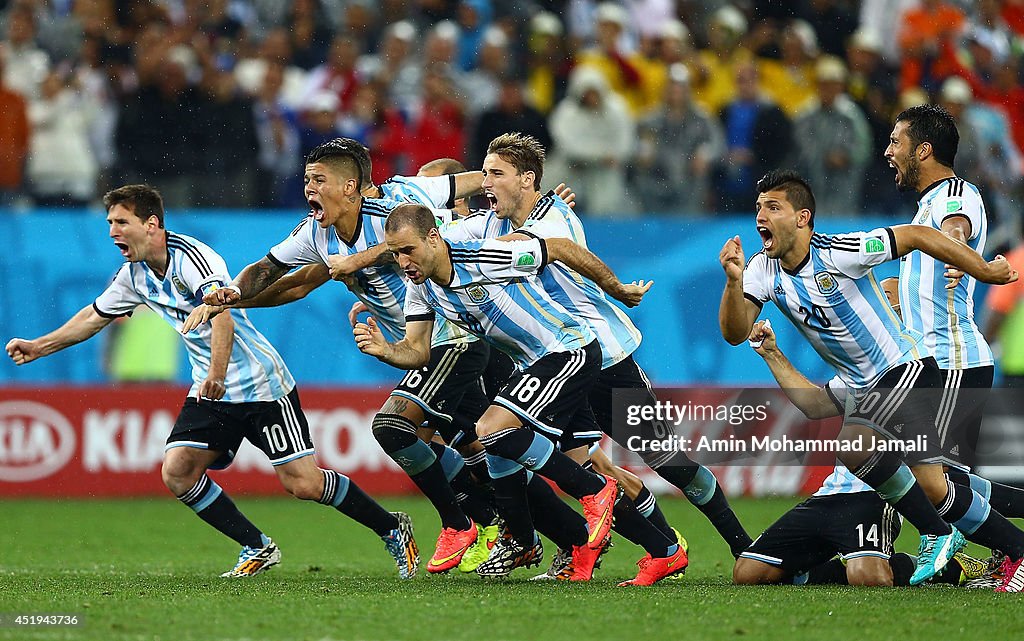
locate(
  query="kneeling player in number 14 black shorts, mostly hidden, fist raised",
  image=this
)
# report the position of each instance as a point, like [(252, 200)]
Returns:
[(845, 533)]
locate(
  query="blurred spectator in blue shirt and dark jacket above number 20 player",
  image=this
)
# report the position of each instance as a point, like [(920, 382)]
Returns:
[(758, 138)]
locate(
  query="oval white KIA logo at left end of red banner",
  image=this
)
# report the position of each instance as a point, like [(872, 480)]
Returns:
[(35, 441)]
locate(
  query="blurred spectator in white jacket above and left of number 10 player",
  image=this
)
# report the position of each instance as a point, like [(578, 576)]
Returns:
[(62, 169)]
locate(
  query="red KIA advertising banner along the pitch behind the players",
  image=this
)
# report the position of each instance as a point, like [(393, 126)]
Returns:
[(109, 442)]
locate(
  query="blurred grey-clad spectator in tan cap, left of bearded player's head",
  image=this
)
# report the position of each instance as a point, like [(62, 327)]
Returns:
[(835, 143)]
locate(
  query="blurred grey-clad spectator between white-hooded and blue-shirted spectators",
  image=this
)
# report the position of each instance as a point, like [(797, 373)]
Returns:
[(679, 146)]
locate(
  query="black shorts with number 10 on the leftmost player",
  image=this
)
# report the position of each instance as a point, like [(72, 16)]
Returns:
[(277, 428)]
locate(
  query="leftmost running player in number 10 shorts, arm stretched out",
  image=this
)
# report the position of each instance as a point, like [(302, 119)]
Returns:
[(241, 388)]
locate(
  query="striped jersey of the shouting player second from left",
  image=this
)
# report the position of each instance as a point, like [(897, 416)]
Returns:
[(381, 288)]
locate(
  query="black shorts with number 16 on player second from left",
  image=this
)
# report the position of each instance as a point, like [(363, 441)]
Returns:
[(439, 389)]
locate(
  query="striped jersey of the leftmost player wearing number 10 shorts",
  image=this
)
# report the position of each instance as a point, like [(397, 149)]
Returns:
[(255, 373)]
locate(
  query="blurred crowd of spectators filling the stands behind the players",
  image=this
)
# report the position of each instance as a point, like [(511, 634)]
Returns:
[(668, 107)]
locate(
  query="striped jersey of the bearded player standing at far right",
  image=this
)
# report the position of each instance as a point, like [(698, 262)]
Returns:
[(945, 317)]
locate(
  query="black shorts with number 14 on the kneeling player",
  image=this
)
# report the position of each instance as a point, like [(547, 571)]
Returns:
[(852, 526)]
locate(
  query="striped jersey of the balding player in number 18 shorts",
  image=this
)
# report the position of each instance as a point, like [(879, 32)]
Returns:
[(496, 294)]
